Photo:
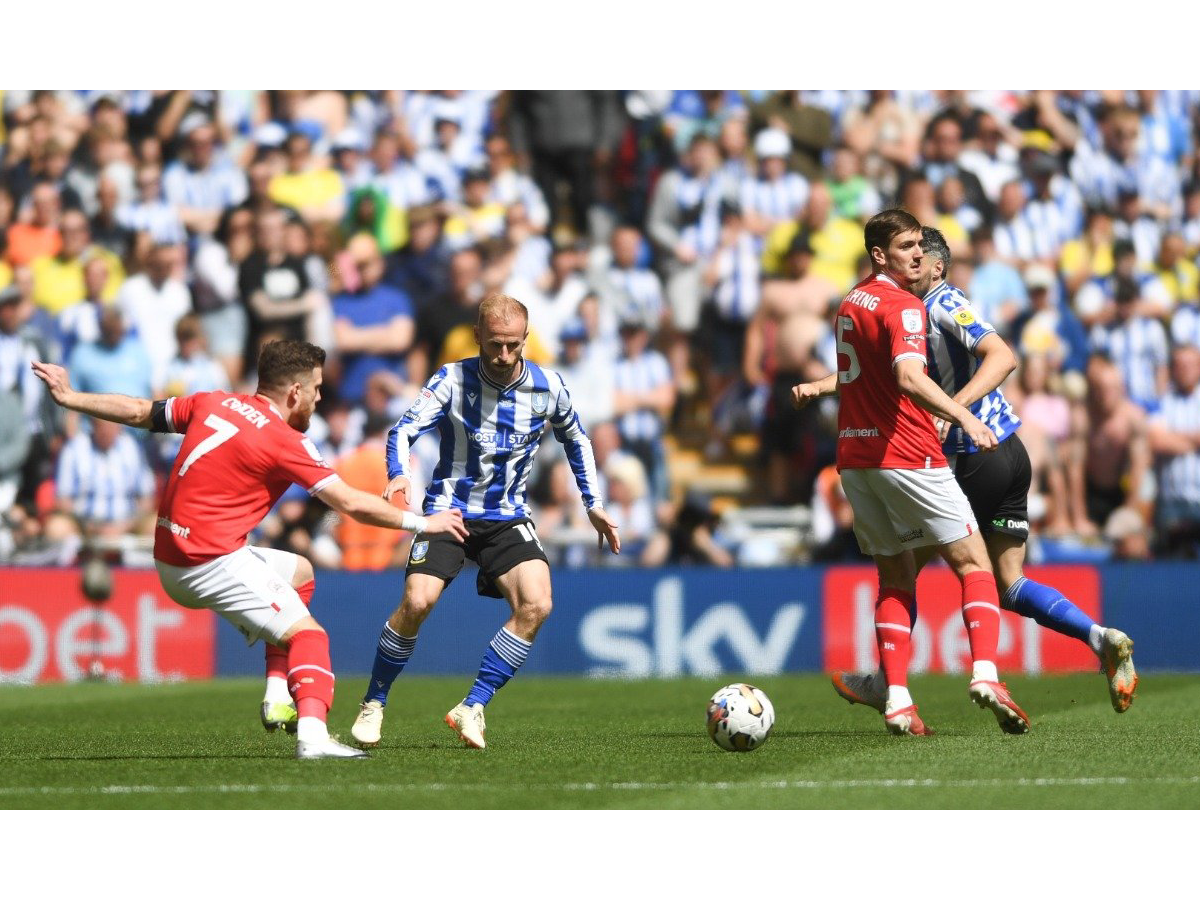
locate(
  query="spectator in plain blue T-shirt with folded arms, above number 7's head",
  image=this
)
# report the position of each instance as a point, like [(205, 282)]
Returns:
[(374, 325)]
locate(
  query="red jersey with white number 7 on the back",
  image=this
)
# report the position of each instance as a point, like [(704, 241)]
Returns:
[(238, 459)]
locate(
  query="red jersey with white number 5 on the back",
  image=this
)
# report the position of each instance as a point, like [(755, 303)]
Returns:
[(878, 326)]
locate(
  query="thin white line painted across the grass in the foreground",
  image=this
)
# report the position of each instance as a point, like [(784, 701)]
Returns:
[(587, 787)]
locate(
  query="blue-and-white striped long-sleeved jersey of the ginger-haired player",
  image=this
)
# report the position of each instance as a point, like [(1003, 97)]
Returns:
[(490, 435)]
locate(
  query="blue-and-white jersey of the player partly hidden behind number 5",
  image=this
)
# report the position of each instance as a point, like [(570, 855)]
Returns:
[(953, 333)]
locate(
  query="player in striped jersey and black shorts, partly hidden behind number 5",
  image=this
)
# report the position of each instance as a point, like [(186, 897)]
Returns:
[(970, 362)]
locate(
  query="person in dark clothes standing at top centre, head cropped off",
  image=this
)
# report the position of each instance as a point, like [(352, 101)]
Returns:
[(569, 136)]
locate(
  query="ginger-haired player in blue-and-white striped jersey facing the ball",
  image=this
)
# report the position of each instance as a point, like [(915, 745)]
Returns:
[(490, 413)]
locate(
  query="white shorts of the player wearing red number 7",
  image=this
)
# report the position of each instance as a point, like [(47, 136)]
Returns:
[(250, 587)]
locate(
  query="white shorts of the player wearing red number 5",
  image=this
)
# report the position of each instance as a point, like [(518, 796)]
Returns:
[(904, 509)]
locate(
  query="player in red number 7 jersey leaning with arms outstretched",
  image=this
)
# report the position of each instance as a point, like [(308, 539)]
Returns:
[(241, 453)]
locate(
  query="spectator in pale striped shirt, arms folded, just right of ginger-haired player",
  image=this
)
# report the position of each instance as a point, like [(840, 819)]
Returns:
[(645, 399)]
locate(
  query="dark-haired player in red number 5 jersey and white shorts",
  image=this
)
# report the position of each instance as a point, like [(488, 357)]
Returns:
[(896, 476)]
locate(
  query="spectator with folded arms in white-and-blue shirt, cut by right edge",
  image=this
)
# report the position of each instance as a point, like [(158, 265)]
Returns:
[(1175, 441)]
